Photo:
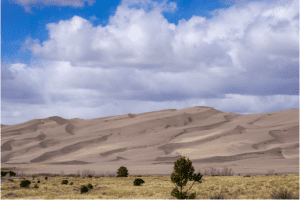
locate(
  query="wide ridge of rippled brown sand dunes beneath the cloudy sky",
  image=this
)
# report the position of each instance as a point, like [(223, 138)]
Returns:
[(148, 143)]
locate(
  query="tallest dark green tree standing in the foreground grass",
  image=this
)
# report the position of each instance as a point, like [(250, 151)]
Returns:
[(184, 172)]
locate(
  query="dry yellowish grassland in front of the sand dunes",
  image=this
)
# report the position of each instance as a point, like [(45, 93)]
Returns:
[(223, 186)]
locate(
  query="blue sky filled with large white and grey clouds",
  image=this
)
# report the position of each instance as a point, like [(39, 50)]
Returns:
[(90, 59)]
